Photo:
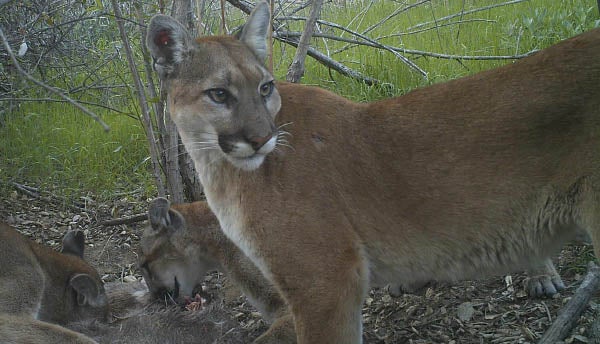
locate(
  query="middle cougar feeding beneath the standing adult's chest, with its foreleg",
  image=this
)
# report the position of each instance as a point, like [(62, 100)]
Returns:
[(184, 241)]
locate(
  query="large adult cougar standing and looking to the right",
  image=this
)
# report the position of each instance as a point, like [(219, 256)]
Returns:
[(481, 175)]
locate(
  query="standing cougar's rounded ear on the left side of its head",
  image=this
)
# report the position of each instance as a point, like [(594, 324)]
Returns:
[(168, 42)]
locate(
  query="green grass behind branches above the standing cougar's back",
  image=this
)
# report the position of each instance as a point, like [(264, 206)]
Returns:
[(506, 30)]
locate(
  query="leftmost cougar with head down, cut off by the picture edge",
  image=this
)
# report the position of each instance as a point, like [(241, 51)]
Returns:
[(41, 283)]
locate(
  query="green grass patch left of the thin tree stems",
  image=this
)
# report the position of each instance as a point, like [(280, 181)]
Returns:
[(54, 147)]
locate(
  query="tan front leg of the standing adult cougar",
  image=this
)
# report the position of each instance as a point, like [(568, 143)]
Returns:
[(326, 293)]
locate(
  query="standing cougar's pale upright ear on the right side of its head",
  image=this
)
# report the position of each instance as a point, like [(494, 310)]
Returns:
[(254, 33)]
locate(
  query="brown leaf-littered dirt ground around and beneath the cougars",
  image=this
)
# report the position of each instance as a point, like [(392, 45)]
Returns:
[(495, 310)]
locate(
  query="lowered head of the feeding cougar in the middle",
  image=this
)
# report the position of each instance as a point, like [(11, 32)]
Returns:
[(177, 249)]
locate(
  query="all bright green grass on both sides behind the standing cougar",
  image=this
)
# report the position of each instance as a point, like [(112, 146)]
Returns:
[(55, 146)]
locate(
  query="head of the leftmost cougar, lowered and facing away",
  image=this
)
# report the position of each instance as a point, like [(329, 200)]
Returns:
[(88, 298)]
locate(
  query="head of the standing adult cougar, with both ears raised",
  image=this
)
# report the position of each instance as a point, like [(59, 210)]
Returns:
[(221, 96)]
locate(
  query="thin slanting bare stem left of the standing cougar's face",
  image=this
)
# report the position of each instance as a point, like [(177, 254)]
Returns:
[(142, 99)]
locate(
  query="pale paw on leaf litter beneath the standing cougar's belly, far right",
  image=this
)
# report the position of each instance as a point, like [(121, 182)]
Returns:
[(543, 280)]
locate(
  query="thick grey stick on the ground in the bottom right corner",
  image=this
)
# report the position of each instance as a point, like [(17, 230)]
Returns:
[(568, 316)]
